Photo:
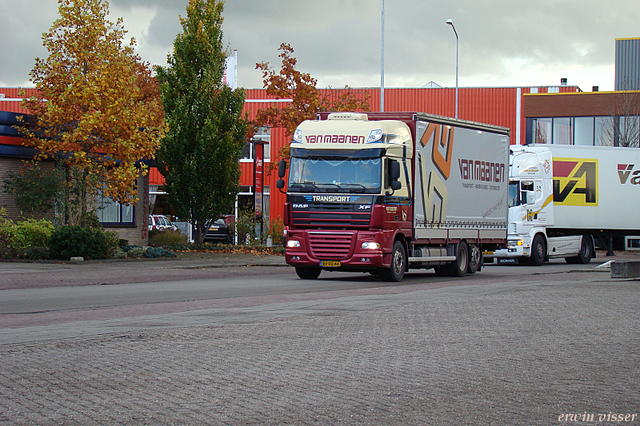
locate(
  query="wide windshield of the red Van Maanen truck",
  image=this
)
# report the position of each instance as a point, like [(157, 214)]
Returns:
[(335, 175)]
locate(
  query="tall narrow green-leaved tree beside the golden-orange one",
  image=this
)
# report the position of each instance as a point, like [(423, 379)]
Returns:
[(199, 157)]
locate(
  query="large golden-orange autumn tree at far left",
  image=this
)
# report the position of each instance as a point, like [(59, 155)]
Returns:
[(97, 109)]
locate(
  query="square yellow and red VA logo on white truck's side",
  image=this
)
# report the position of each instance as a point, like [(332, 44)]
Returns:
[(575, 181)]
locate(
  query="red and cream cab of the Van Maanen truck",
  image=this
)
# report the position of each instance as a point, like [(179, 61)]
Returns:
[(347, 193)]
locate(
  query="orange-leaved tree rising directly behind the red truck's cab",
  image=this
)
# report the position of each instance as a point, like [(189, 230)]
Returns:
[(306, 100)]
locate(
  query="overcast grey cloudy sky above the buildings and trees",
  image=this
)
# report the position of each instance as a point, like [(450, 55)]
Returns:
[(502, 42)]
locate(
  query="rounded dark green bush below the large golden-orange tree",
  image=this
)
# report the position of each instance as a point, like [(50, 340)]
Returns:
[(71, 241)]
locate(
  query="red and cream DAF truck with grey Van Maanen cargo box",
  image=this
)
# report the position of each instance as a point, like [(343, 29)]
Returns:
[(386, 192)]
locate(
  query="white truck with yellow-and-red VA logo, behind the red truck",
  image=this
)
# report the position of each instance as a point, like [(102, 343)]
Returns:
[(565, 198)]
